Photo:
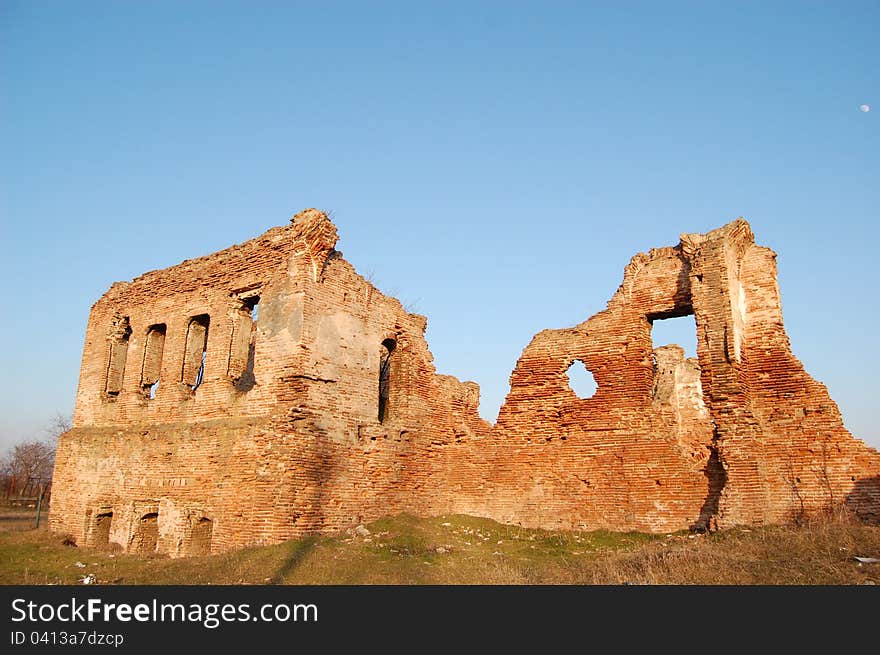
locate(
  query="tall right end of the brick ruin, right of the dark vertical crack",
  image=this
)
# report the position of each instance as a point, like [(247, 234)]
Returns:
[(778, 433)]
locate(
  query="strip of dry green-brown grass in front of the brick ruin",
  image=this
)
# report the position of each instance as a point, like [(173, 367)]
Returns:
[(467, 550)]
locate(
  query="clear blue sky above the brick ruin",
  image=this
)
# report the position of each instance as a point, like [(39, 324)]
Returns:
[(492, 164)]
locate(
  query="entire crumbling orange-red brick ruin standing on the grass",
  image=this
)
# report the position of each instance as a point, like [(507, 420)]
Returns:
[(268, 391)]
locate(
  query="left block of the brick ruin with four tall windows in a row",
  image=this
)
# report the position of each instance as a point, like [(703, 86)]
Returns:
[(298, 448)]
